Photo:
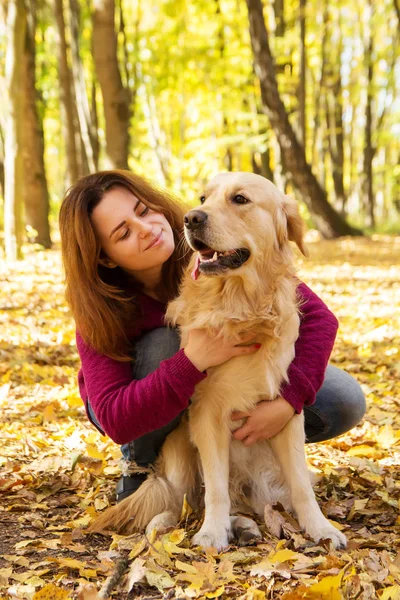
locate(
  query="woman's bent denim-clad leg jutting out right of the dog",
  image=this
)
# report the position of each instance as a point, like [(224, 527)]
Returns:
[(340, 405)]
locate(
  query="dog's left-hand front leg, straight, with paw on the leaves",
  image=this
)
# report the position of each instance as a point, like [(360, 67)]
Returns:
[(212, 438)]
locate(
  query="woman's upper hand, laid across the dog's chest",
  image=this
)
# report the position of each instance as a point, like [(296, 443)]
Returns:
[(205, 350)]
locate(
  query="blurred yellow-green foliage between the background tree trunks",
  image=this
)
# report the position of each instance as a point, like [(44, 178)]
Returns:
[(197, 108)]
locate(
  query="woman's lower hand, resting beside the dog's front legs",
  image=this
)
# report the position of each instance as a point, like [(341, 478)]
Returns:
[(266, 420)]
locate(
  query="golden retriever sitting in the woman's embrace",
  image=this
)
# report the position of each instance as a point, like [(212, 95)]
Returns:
[(241, 285)]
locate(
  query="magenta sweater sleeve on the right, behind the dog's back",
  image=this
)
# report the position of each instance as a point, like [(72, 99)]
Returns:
[(318, 328)]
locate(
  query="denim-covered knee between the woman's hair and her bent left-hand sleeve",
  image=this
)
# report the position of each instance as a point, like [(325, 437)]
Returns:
[(152, 348)]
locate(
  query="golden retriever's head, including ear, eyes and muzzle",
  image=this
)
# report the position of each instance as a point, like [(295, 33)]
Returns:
[(243, 217)]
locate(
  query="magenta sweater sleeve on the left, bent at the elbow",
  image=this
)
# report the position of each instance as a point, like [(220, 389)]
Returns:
[(127, 408)]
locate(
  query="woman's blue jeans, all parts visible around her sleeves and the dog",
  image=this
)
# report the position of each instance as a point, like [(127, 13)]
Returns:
[(339, 406)]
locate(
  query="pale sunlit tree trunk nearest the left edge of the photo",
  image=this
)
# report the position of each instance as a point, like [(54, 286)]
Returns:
[(13, 164)]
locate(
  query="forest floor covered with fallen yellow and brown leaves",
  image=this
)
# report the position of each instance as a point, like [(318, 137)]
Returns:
[(56, 471)]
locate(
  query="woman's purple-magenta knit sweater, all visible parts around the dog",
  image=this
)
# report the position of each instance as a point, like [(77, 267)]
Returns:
[(127, 409)]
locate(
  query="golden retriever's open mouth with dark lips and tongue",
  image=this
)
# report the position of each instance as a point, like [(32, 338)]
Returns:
[(211, 261)]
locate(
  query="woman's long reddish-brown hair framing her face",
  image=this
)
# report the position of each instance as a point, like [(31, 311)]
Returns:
[(98, 297)]
